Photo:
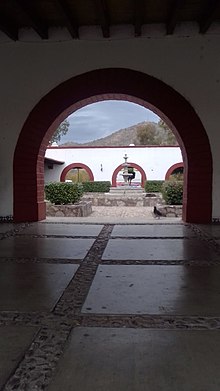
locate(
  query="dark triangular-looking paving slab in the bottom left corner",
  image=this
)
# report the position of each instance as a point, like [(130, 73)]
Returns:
[(13, 343)]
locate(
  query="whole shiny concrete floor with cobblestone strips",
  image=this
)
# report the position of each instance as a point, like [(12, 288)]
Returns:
[(103, 306)]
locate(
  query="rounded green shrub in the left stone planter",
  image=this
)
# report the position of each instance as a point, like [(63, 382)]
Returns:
[(62, 193)]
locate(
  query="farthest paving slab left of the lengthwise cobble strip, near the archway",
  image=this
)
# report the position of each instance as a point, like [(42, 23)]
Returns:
[(64, 229)]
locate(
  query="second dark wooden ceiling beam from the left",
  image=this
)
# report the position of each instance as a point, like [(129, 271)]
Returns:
[(37, 25)]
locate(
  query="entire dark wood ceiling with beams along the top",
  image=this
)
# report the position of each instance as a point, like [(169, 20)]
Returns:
[(40, 15)]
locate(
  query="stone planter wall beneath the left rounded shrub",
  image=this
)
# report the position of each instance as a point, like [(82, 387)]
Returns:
[(81, 209)]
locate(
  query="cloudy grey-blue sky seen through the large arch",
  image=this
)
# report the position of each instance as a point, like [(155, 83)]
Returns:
[(103, 118)]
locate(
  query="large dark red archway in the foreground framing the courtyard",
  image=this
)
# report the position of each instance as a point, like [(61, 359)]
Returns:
[(121, 84)]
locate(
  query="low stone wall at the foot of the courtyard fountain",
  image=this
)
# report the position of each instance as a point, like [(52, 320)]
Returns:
[(107, 199)]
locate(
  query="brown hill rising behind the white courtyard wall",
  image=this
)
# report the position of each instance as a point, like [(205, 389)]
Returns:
[(127, 136)]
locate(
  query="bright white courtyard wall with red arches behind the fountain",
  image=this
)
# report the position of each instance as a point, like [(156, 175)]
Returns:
[(154, 161)]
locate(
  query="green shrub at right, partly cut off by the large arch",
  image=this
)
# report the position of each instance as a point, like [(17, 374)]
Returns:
[(172, 192)]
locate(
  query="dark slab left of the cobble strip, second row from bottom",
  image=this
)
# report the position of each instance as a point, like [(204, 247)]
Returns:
[(32, 287)]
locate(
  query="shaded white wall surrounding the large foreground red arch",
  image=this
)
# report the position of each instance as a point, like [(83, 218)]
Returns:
[(30, 69)]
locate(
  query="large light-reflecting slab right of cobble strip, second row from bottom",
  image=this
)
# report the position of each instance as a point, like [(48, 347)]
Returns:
[(154, 289)]
